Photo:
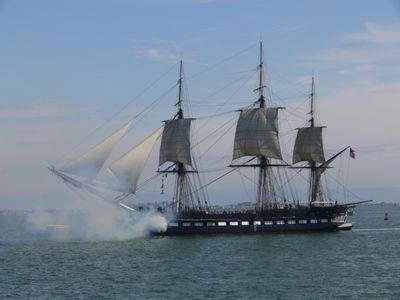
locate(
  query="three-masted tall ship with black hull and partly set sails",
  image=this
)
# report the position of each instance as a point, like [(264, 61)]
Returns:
[(256, 146)]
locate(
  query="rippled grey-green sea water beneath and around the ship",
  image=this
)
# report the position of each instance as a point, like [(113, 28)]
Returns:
[(360, 264)]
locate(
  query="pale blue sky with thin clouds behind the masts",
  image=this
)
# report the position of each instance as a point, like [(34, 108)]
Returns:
[(66, 66)]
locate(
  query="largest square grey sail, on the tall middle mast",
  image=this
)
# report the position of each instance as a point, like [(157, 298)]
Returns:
[(257, 133)]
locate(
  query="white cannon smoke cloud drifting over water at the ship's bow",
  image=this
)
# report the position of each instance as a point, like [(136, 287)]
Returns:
[(95, 221)]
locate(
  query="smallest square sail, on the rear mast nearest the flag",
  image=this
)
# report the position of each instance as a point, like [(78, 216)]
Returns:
[(308, 145)]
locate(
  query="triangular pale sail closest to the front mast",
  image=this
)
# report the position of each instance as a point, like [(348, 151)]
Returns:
[(123, 174)]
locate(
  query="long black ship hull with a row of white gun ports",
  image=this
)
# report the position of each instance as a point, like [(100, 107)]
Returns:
[(271, 221)]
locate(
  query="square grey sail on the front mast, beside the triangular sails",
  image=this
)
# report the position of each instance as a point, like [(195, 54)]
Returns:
[(175, 142)]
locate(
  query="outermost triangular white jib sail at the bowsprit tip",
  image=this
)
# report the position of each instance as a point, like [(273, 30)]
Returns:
[(89, 164)]
